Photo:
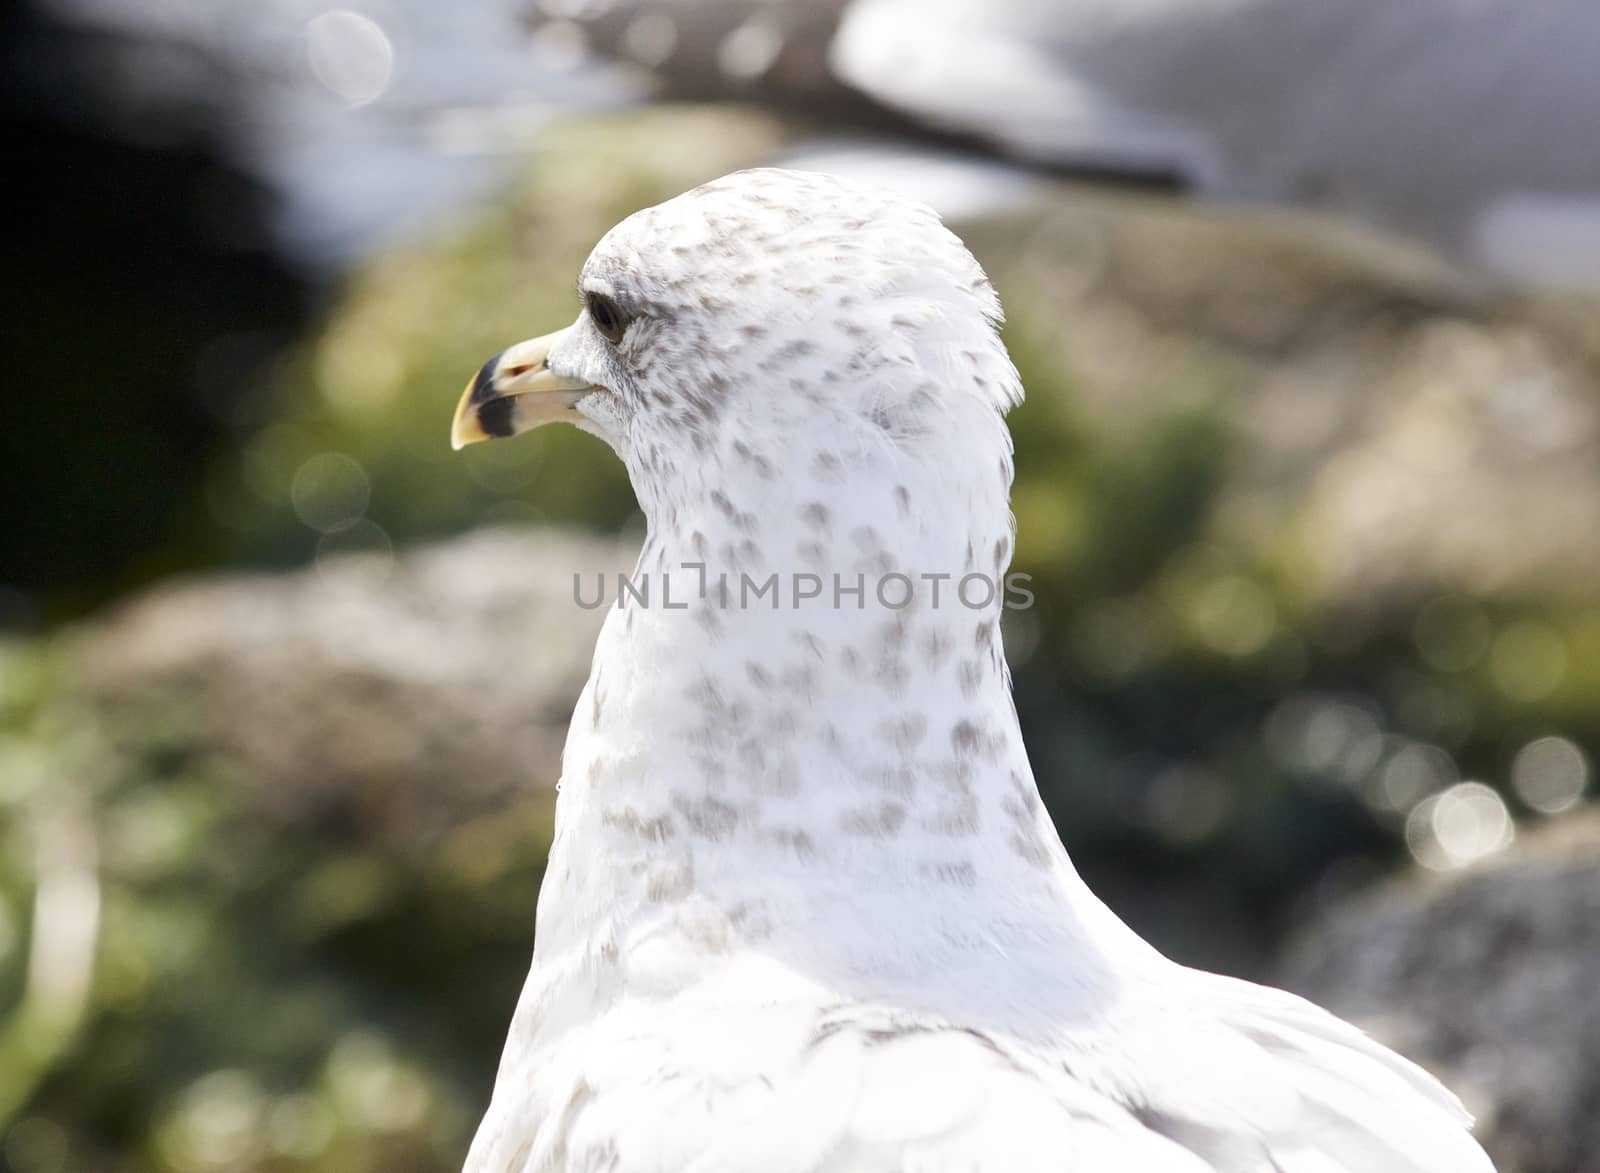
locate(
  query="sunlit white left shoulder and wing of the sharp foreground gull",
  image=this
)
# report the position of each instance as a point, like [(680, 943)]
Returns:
[(812, 1089)]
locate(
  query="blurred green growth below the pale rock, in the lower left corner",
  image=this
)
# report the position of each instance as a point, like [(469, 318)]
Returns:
[(274, 985)]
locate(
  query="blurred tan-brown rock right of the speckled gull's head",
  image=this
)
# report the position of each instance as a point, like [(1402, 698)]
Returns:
[(1394, 431)]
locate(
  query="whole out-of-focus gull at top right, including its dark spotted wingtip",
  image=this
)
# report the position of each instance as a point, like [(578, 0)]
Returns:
[(1449, 124)]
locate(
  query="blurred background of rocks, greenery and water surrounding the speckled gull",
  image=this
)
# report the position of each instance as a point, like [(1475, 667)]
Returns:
[(1308, 484)]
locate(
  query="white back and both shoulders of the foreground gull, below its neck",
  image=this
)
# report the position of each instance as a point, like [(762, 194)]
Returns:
[(1188, 1075)]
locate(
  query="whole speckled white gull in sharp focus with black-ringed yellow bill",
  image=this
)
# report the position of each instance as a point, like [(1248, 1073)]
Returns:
[(806, 911)]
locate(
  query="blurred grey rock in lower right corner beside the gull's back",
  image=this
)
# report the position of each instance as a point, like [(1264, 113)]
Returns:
[(1487, 977)]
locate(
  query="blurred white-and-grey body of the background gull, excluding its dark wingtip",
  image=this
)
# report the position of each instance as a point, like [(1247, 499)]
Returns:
[(1452, 122)]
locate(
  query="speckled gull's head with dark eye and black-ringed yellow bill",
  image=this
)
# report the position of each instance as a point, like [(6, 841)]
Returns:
[(753, 313)]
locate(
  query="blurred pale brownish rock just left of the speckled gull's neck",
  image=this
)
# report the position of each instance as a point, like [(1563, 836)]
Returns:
[(420, 689)]
